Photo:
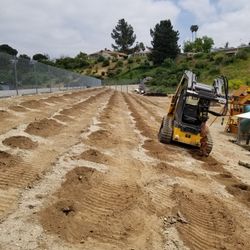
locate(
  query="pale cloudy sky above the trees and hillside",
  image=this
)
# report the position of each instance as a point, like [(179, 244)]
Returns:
[(66, 27)]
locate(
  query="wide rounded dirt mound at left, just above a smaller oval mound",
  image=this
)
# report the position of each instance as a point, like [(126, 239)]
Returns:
[(45, 127)]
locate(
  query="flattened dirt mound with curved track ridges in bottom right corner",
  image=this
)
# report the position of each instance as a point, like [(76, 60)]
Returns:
[(210, 224)]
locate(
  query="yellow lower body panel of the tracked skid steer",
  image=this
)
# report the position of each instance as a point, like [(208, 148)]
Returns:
[(185, 137)]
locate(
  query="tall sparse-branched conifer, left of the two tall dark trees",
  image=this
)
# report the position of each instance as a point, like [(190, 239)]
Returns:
[(124, 36)]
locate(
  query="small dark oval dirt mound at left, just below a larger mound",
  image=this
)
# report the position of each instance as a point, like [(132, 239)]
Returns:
[(20, 142)]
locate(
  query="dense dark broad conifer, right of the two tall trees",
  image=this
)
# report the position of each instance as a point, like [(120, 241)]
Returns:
[(165, 42)]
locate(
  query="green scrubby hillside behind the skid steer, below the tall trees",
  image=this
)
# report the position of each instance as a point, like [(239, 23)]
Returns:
[(207, 66)]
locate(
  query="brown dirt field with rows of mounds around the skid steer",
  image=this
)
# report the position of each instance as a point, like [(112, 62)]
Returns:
[(84, 170)]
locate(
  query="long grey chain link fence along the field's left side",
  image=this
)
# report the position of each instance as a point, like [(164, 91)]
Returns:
[(20, 76)]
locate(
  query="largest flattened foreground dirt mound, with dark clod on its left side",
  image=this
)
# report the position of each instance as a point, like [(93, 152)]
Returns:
[(98, 209)]
